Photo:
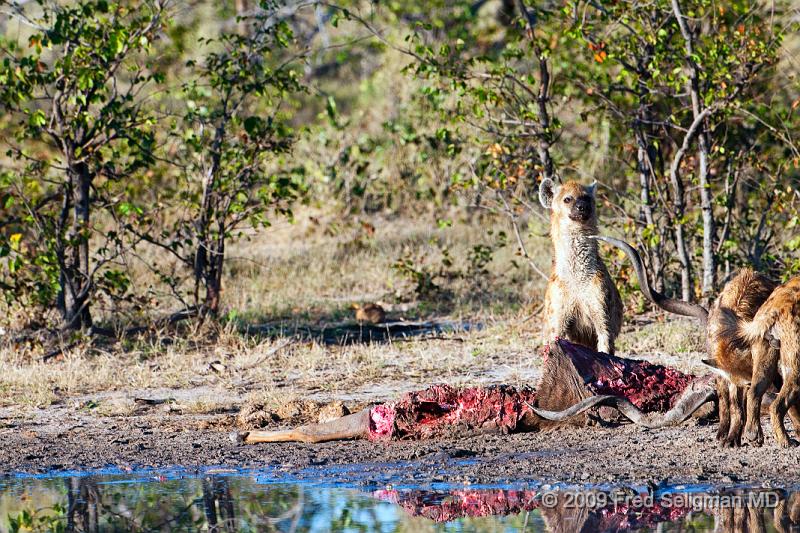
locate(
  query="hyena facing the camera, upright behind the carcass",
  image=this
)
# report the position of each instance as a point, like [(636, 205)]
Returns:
[(582, 303)]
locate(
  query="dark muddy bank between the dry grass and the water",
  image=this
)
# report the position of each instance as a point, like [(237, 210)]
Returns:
[(63, 437)]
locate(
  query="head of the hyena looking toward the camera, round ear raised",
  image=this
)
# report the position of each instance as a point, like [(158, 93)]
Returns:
[(570, 203)]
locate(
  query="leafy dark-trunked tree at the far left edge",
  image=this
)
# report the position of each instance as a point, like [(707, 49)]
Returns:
[(75, 94)]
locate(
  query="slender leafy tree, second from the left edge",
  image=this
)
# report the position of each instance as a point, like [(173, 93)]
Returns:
[(232, 131)]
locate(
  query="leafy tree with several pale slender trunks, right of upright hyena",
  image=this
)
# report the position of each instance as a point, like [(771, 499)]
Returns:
[(677, 82)]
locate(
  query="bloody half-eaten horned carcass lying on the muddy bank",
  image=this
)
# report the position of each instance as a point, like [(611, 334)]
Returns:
[(575, 381)]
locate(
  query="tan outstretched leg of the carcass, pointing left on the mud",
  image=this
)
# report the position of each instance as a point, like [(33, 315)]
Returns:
[(353, 426)]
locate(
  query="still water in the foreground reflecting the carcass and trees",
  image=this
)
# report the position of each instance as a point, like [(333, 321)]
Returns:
[(238, 501)]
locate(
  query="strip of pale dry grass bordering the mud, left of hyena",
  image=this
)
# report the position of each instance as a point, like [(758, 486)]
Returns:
[(256, 369)]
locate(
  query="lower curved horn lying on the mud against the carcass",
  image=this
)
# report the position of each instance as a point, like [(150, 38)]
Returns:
[(688, 404)]
